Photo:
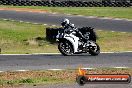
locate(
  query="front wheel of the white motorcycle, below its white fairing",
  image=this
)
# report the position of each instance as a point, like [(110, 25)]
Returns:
[(65, 47)]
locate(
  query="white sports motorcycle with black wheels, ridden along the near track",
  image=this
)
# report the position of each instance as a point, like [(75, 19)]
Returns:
[(69, 43)]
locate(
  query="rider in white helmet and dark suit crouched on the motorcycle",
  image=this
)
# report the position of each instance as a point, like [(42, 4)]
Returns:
[(68, 26)]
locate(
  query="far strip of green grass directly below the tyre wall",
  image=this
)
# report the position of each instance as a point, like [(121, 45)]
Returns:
[(116, 12)]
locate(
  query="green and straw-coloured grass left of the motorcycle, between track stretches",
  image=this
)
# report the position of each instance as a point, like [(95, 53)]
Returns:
[(16, 37)]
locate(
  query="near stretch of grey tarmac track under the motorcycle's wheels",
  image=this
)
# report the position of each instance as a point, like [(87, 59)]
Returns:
[(57, 61)]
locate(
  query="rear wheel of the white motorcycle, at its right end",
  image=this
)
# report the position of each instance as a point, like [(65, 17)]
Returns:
[(94, 49)]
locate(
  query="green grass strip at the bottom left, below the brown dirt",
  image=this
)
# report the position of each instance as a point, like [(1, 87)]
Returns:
[(43, 80)]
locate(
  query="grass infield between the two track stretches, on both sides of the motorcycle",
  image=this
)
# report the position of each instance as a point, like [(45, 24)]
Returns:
[(26, 38)]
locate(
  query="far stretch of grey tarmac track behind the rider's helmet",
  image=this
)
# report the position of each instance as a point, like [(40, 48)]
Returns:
[(80, 21)]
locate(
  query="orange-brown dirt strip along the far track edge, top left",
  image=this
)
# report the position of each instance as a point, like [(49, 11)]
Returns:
[(25, 9)]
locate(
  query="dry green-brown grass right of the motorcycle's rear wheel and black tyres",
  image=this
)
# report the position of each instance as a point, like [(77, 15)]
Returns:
[(114, 41)]
